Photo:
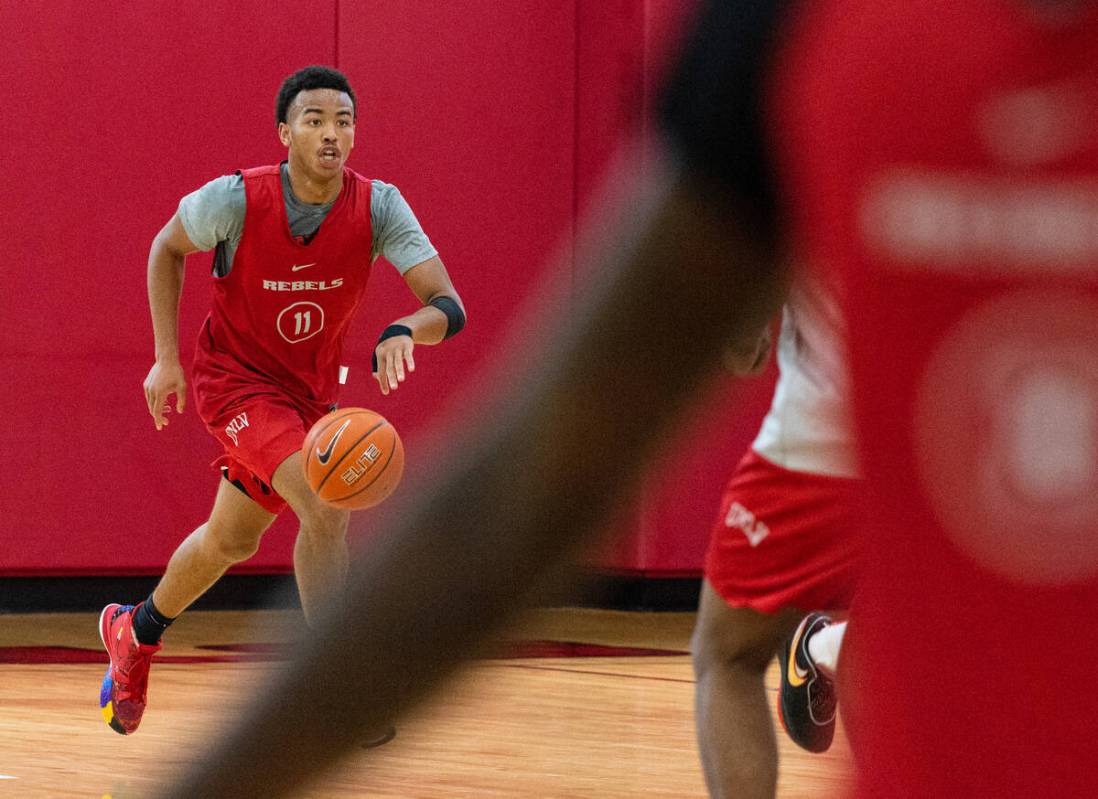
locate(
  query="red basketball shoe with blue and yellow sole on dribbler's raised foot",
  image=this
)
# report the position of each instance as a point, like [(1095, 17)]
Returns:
[(122, 695)]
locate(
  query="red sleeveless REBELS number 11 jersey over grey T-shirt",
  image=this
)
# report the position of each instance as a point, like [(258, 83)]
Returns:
[(281, 316)]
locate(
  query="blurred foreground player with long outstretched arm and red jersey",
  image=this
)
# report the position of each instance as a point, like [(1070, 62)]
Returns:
[(943, 159)]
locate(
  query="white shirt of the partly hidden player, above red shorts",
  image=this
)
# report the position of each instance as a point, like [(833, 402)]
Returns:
[(809, 426)]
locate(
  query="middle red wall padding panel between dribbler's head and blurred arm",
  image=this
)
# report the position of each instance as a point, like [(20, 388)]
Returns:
[(468, 108)]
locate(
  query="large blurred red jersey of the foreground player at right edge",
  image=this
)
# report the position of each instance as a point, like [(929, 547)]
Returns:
[(954, 183)]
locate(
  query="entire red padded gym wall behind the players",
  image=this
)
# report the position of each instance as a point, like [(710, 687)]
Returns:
[(496, 120)]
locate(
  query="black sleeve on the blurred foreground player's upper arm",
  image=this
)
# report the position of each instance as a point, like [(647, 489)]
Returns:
[(713, 106)]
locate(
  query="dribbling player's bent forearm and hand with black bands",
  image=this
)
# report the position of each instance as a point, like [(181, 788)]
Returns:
[(441, 317)]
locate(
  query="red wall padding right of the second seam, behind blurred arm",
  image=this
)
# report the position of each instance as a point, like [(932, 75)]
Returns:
[(624, 49)]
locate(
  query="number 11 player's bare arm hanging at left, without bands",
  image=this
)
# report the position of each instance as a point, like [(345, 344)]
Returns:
[(166, 257)]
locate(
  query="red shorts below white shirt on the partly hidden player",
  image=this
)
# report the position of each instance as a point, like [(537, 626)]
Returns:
[(785, 539)]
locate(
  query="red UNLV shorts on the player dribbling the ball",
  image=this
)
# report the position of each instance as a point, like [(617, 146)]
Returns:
[(260, 429)]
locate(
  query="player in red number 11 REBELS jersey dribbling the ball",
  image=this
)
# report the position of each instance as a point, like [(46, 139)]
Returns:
[(295, 244)]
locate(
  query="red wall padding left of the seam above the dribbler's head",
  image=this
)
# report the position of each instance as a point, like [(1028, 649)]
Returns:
[(122, 109)]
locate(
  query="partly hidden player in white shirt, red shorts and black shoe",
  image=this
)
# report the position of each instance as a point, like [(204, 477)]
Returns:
[(785, 539)]
